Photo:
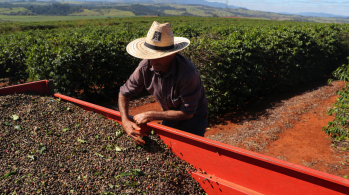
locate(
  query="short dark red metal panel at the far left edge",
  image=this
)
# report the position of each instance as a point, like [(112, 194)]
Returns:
[(40, 87)]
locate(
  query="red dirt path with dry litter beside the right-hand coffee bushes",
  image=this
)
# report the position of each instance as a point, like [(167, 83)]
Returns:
[(289, 129)]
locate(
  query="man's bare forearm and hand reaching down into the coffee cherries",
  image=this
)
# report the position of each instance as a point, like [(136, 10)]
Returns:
[(129, 126)]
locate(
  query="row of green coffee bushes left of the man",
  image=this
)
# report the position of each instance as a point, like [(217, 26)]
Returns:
[(88, 63)]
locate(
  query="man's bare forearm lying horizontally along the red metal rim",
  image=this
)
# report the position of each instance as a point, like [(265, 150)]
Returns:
[(161, 115)]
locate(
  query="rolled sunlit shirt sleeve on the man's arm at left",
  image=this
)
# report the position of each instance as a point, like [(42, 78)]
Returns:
[(134, 84)]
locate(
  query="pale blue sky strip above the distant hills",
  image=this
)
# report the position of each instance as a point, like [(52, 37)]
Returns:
[(336, 7)]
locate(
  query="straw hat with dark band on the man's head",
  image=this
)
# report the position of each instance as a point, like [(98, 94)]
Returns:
[(159, 43)]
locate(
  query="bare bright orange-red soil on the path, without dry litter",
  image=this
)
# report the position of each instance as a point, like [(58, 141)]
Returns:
[(306, 144)]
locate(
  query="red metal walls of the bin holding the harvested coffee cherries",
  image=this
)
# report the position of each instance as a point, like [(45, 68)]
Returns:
[(223, 169)]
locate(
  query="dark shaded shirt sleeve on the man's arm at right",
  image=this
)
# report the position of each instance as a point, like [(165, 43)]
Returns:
[(190, 94)]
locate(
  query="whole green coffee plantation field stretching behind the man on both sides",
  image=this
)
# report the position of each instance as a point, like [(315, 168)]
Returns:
[(265, 49)]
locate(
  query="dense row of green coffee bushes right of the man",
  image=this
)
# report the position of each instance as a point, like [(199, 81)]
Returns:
[(239, 64)]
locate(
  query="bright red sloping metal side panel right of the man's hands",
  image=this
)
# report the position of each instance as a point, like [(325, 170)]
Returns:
[(251, 170)]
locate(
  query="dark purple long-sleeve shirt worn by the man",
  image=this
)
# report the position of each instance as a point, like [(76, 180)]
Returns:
[(180, 89)]
